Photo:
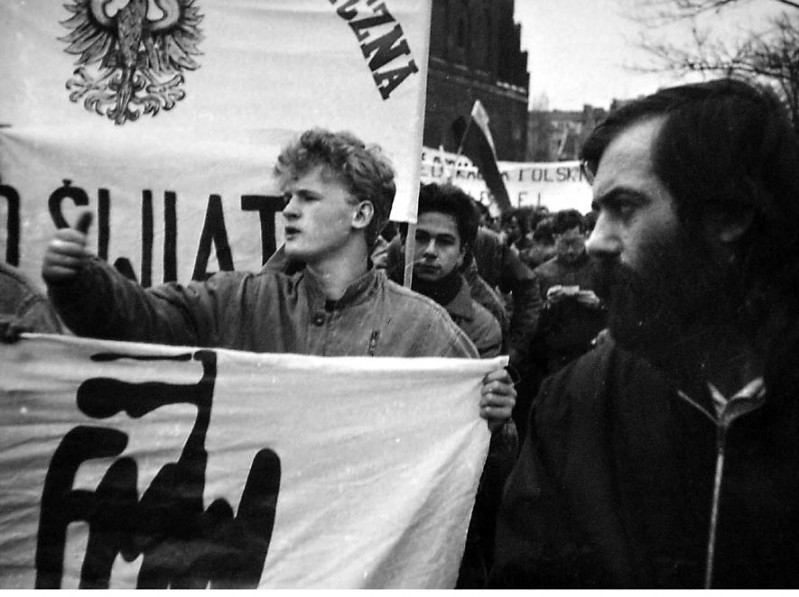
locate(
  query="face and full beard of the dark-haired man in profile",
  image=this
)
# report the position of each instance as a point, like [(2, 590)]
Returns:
[(661, 280)]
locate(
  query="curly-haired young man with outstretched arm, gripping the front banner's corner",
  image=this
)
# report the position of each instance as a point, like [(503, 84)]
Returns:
[(338, 194)]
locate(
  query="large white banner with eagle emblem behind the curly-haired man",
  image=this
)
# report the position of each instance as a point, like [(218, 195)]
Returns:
[(164, 119)]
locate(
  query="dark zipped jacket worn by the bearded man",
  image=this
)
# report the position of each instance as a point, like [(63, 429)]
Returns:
[(614, 486)]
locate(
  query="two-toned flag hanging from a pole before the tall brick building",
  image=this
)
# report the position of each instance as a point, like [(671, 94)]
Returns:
[(476, 143)]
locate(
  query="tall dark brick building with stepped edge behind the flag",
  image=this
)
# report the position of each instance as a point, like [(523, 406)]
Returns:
[(475, 54)]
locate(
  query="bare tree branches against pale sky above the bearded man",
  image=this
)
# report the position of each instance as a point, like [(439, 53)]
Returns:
[(770, 56)]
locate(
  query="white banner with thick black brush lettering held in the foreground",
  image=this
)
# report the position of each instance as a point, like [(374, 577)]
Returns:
[(132, 465)]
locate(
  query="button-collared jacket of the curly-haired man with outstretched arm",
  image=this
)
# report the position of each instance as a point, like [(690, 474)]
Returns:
[(268, 311)]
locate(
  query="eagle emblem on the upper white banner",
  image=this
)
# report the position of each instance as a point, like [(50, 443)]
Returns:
[(131, 54)]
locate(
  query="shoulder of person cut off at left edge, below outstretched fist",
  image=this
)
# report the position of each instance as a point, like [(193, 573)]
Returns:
[(22, 307)]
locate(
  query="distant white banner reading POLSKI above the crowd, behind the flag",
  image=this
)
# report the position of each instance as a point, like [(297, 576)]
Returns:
[(554, 185)]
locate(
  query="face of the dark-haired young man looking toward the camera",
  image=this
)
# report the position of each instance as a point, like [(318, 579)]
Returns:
[(438, 249)]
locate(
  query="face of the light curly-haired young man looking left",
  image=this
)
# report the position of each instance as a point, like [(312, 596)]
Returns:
[(318, 216)]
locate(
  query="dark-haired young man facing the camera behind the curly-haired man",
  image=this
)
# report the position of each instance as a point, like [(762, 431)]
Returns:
[(445, 231)]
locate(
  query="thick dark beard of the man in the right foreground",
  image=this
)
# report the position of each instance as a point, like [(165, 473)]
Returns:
[(679, 293)]
